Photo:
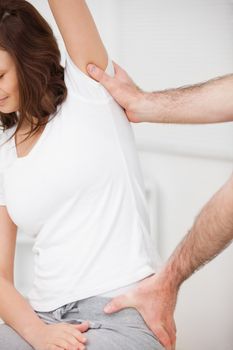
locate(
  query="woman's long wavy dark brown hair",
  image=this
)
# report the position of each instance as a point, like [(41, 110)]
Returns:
[(30, 41)]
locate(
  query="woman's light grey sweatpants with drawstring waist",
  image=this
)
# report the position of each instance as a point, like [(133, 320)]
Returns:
[(123, 330)]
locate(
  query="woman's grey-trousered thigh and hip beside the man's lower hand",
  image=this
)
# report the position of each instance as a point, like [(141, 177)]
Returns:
[(123, 330)]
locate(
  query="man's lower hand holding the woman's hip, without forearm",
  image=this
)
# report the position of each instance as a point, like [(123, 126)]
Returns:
[(156, 304)]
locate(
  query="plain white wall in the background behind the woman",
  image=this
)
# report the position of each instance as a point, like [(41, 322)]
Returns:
[(168, 43)]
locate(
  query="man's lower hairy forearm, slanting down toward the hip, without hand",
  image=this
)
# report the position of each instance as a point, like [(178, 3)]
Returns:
[(212, 231)]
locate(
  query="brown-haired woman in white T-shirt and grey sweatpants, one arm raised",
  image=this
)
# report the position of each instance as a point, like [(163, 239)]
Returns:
[(74, 185)]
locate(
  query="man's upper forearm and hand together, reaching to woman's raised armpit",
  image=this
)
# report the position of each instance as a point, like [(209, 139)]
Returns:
[(208, 102)]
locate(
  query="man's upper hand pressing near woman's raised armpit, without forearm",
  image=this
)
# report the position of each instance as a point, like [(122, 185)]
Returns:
[(123, 90)]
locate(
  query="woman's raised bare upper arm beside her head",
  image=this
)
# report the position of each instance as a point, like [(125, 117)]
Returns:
[(79, 33)]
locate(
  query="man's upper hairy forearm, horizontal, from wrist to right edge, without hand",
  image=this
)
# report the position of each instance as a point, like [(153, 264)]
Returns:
[(209, 102)]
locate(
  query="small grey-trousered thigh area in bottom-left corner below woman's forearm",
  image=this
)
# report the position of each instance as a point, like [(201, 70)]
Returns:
[(11, 340)]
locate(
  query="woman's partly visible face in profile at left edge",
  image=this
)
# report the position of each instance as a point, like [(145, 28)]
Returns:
[(9, 91)]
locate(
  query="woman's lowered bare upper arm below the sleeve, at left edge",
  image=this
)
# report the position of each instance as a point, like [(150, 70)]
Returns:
[(8, 232)]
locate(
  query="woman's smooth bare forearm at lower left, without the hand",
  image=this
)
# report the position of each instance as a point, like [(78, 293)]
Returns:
[(16, 311)]
